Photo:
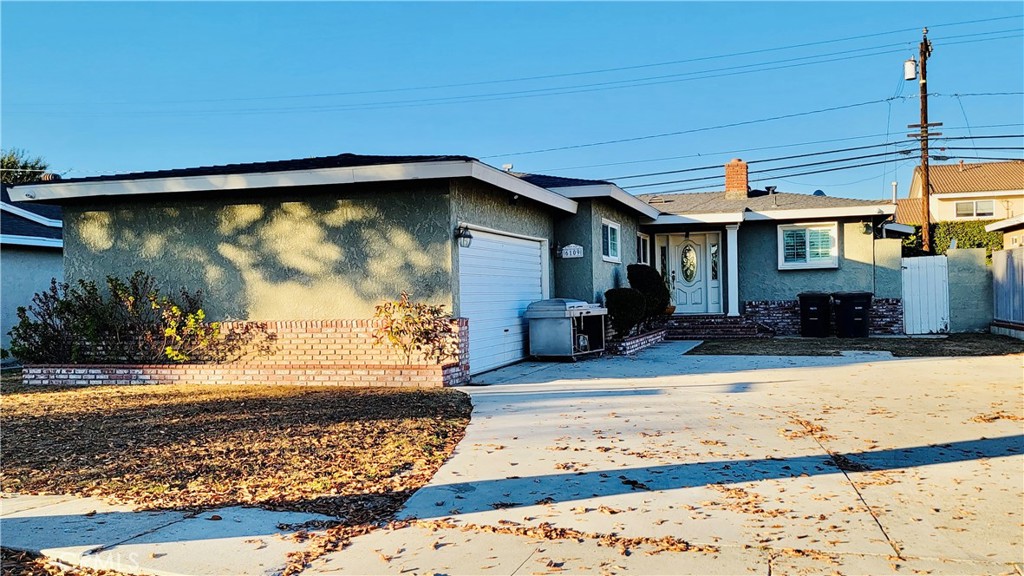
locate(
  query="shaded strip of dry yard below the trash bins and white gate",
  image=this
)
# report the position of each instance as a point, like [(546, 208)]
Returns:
[(952, 345)]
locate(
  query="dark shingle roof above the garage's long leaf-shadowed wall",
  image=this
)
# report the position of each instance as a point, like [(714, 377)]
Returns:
[(338, 161)]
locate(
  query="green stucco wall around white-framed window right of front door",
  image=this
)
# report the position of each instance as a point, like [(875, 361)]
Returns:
[(865, 265)]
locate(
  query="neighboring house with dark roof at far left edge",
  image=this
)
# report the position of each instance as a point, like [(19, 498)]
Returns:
[(30, 256)]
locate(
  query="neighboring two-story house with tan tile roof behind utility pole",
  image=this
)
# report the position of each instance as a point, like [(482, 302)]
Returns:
[(992, 191)]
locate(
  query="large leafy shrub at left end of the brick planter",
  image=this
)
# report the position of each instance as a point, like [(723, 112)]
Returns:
[(132, 323)]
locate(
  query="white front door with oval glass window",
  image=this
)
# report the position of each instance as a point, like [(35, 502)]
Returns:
[(695, 273)]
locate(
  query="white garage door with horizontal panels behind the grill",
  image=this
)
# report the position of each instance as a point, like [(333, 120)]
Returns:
[(499, 277)]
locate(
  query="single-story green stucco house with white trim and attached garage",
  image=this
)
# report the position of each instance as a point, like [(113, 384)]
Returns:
[(327, 239)]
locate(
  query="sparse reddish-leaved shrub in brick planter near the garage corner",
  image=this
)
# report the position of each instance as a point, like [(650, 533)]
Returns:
[(417, 328)]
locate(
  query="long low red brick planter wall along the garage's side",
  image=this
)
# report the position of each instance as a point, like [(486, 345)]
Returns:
[(320, 353)]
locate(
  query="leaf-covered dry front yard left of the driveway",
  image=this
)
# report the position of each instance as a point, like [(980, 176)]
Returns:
[(353, 454)]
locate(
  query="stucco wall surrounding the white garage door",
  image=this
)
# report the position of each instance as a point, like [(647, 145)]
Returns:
[(478, 203)]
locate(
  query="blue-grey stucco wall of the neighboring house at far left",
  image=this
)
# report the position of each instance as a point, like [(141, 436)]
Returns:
[(24, 271)]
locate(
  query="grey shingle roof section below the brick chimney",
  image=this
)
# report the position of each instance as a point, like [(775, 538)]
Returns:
[(717, 202)]
